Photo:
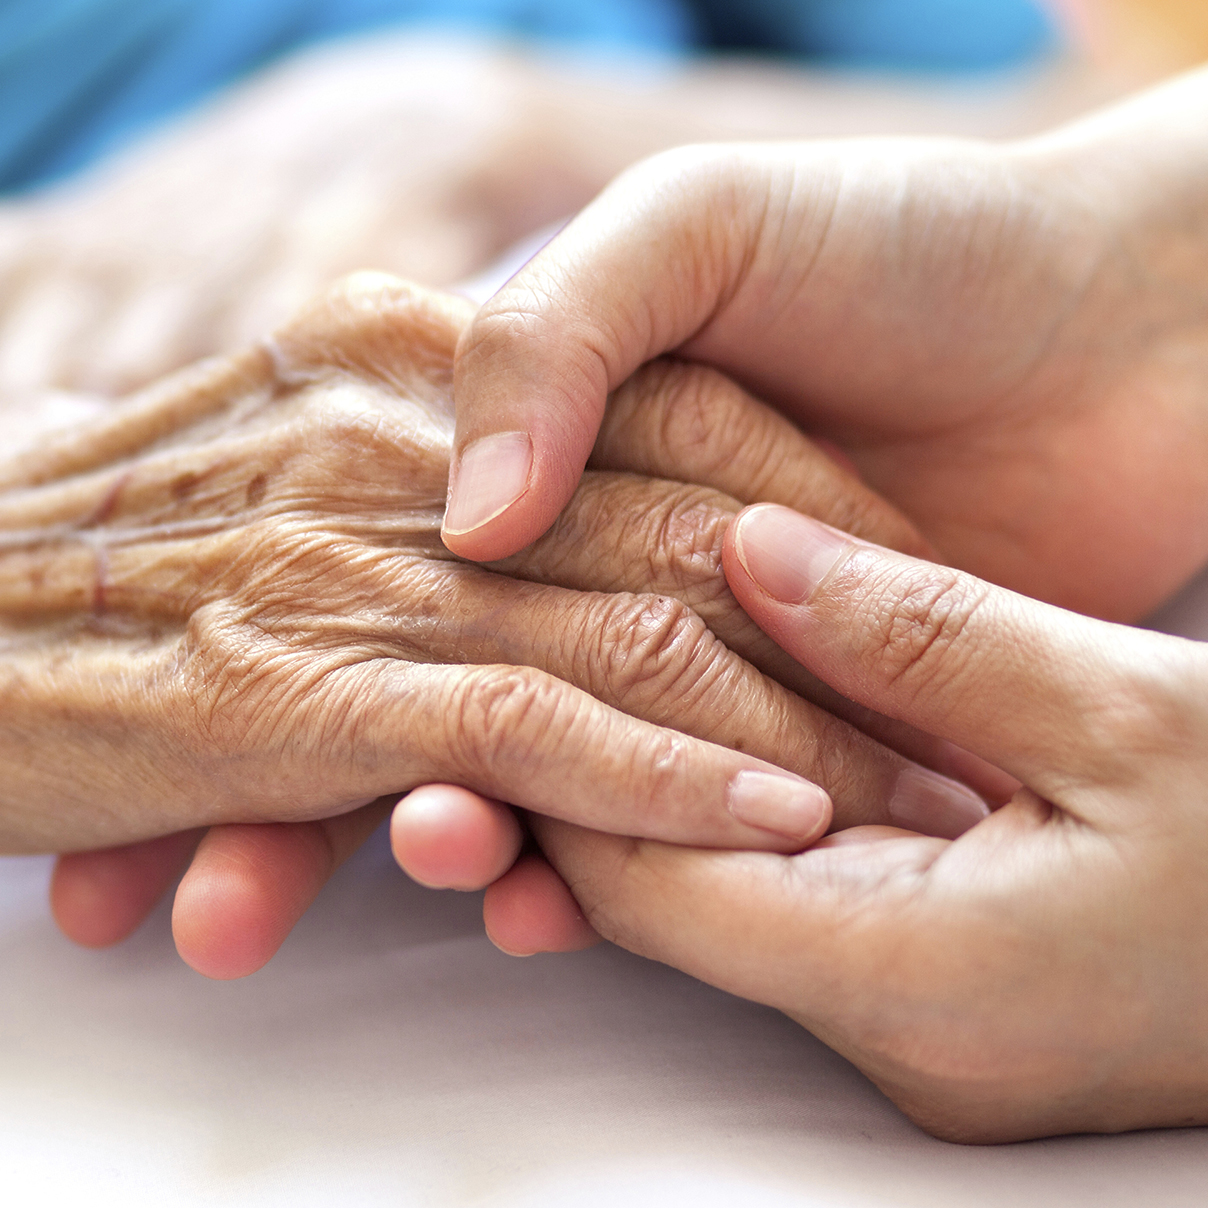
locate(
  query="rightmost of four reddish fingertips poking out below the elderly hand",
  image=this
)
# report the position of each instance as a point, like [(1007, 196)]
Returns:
[(531, 910)]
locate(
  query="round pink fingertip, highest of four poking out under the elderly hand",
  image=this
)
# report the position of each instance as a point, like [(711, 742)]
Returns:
[(448, 838)]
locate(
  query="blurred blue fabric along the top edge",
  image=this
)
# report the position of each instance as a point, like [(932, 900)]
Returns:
[(80, 77)]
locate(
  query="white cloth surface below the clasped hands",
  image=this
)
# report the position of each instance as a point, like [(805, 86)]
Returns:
[(391, 1056)]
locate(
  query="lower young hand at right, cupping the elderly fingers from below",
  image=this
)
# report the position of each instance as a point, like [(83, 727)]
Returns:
[(1047, 972)]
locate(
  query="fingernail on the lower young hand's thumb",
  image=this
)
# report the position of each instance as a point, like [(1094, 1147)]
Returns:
[(788, 555)]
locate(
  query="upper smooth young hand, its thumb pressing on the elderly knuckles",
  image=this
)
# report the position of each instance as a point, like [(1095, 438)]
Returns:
[(1009, 341)]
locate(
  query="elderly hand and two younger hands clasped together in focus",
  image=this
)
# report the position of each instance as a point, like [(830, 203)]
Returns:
[(969, 327)]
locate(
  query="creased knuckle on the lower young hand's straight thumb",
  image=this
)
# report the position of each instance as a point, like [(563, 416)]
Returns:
[(916, 618)]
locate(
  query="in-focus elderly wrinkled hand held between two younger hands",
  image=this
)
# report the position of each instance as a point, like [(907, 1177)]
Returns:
[(228, 602)]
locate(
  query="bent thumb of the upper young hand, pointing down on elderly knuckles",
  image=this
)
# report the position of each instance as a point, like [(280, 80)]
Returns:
[(638, 274)]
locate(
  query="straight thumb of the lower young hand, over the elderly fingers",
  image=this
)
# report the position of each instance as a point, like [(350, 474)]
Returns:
[(1038, 692)]
